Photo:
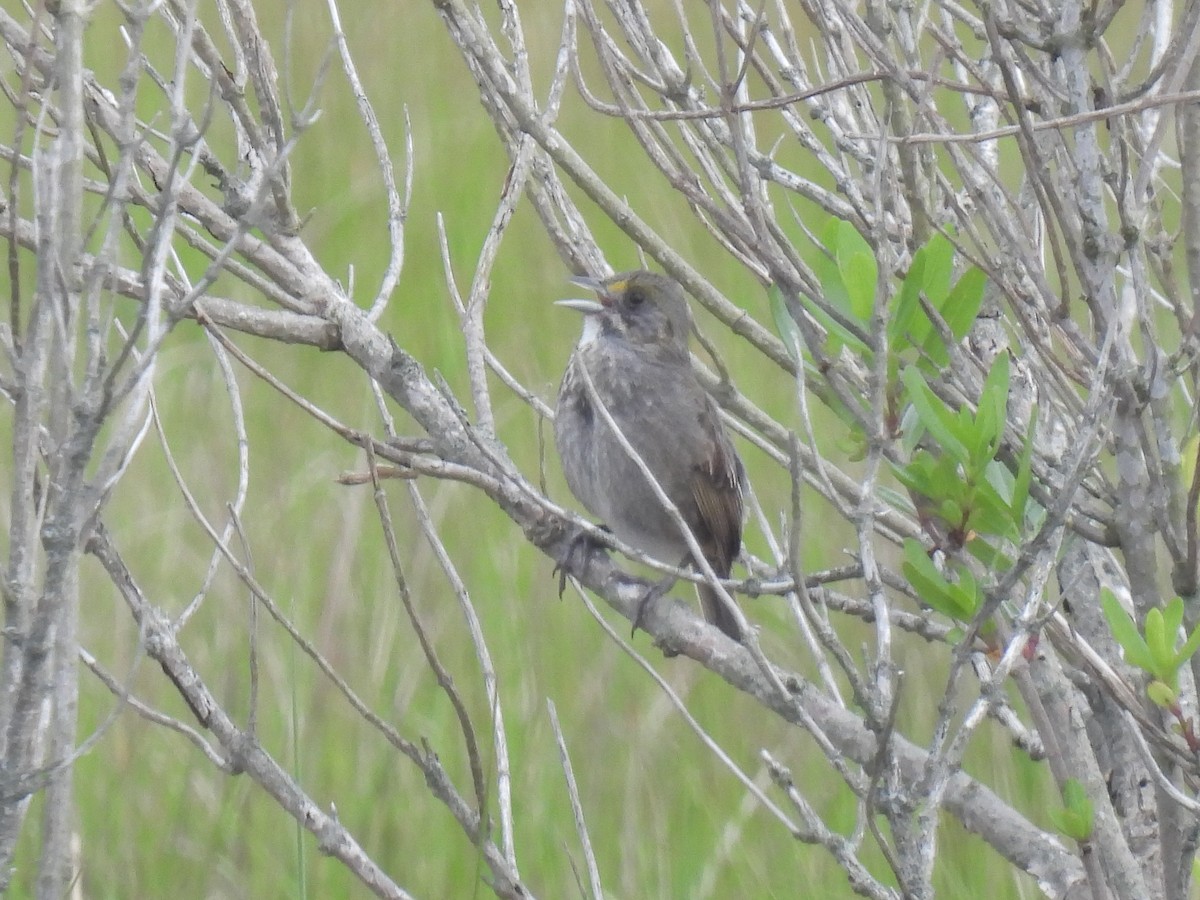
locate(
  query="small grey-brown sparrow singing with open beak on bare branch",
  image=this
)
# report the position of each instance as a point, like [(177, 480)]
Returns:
[(634, 349)]
